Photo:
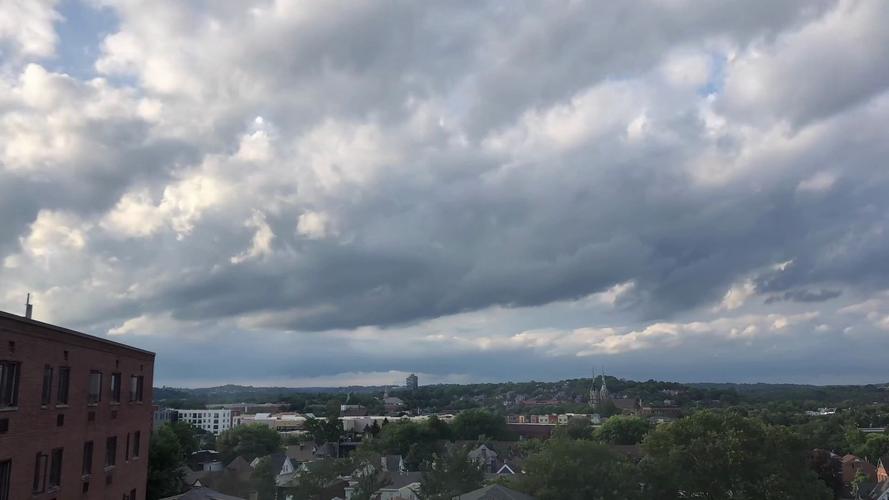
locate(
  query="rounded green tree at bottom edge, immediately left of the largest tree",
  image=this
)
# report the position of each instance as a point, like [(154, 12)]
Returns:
[(579, 470)]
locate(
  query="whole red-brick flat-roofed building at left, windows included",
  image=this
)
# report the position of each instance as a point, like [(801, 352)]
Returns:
[(75, 414)]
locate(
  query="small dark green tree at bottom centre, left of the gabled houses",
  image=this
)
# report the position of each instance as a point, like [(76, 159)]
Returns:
[(450, 475)]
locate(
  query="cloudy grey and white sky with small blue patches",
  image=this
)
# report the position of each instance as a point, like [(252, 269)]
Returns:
[(299, 193)]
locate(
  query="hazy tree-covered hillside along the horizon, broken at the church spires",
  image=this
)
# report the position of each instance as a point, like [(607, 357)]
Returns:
[(567, 392)]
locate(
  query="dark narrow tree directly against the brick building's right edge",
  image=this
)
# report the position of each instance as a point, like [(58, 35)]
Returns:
[(165, 457)]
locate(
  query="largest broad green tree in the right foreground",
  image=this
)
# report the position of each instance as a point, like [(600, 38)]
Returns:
[(717, 455)]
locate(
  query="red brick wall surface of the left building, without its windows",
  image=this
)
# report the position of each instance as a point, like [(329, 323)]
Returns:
[(34, 429)]
